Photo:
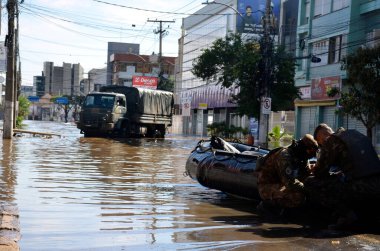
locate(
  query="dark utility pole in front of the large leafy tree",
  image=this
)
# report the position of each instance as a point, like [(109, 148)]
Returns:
[(265, 100)]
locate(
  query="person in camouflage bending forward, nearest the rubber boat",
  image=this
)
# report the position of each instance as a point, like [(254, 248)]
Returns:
[(281, 172)]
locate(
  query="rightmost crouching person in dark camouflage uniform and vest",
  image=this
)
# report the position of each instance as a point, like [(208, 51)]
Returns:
[(346, 174)]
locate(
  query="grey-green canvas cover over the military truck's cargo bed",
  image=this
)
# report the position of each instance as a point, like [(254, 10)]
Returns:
[(144, 101)]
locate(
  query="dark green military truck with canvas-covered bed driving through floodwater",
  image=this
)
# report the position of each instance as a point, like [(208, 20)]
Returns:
[(126, 112)]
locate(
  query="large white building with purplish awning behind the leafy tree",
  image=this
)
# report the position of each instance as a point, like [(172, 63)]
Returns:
[(207, 102)]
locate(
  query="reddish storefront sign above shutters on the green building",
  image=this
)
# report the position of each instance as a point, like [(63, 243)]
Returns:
[(321, 86)]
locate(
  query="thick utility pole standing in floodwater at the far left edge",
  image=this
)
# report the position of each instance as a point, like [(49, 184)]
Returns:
[(10, 77)]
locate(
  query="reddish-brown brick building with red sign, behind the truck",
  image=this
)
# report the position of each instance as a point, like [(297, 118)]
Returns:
[(127, 67)]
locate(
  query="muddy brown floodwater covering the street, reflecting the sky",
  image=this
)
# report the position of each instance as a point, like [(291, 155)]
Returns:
[(76, 193)]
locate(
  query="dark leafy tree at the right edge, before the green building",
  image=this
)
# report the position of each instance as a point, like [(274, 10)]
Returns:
[(360, 97)]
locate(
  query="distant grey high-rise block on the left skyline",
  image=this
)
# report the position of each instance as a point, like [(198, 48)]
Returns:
[(61, 80)]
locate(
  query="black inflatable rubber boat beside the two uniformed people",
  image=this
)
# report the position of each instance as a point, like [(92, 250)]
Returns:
[(226, 166)]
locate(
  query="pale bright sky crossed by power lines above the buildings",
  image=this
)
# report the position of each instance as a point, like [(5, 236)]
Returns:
[(73, 31)]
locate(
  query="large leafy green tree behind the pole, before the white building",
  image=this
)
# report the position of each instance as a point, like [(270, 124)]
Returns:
[(235, 63)]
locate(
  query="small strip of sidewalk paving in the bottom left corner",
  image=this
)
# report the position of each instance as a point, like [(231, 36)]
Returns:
[(9, 227)]
